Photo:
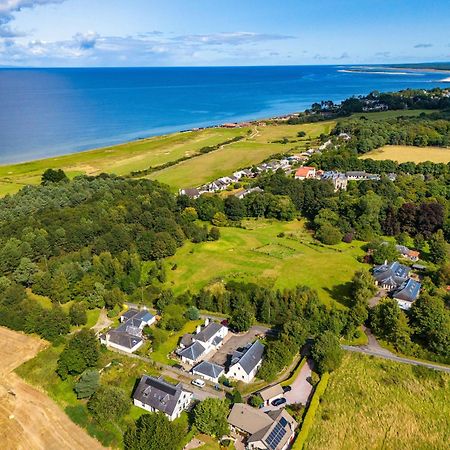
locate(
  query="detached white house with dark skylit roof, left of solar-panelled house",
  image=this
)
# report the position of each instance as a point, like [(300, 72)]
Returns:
[(155, 394)]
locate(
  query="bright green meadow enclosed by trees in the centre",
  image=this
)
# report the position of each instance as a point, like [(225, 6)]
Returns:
[(256, 254)]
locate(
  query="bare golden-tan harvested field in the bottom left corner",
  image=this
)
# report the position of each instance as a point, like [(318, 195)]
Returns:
[(29, 419)]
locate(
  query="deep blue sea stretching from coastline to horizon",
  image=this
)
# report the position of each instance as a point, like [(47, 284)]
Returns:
[(47, 112)]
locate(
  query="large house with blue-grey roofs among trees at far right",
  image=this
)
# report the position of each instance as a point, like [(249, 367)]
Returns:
[(395, 279)]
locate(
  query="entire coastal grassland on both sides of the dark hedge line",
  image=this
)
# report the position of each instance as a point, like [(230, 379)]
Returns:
[(138, 155)]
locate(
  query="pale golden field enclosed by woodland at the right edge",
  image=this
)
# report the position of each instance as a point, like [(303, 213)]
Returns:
[(408, 153)]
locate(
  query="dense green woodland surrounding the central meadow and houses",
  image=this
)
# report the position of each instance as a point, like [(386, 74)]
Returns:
[(100, 241)]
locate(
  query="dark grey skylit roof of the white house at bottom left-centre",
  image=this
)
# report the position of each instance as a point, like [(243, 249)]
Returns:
[(158, 394)]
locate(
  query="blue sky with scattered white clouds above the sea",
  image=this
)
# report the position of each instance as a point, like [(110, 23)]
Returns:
[(216, 32)]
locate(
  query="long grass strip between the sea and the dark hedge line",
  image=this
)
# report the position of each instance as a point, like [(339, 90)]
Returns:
[(119, 159)]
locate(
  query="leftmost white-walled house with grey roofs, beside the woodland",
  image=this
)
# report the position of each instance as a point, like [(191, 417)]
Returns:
[(127, 337)]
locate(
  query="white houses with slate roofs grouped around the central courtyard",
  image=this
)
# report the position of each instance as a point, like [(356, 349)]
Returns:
[(195, 349)]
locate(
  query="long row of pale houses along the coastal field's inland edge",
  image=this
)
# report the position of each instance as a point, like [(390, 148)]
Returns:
[(221, 184)]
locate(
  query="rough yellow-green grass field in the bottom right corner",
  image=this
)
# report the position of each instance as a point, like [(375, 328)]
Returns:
[(377, 404)]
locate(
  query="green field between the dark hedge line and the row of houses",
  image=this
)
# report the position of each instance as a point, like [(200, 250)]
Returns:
[(253, 150)]
